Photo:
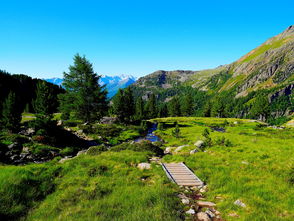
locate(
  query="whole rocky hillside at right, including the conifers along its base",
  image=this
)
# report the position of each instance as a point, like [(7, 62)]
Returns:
[(259, 85)]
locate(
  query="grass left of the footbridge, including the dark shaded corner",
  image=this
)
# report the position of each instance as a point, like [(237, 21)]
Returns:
[(101, 186)]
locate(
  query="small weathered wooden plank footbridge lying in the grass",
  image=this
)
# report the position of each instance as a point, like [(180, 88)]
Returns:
[(181, 174)]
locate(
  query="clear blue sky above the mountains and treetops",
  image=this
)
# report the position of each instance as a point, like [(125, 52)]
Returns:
[(39, 38)]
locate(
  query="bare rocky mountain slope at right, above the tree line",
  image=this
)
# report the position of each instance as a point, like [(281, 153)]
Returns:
[(268, 68)]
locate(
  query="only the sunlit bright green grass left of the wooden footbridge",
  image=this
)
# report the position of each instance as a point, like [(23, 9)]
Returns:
[(110, 187)]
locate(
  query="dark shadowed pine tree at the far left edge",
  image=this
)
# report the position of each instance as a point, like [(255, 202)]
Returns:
[(11, 113)]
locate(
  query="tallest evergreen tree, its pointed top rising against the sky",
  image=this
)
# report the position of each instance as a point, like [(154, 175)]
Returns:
[(84, 96)]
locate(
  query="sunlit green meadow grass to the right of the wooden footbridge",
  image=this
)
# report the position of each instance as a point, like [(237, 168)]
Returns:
[(258, 168)]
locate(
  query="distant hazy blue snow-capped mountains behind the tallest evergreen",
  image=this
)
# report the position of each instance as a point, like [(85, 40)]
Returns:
[(113, 83)]
